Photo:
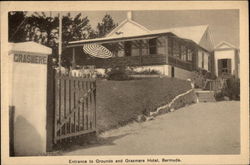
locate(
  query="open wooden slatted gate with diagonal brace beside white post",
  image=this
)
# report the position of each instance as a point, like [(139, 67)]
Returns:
[(75, 106)]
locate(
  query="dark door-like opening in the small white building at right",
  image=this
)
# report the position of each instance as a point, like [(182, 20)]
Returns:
[(224, 67)]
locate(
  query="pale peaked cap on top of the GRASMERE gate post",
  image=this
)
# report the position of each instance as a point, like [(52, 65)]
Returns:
[(30, 47)]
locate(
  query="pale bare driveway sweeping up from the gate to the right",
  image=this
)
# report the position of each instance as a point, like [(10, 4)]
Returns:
[(204, 128)]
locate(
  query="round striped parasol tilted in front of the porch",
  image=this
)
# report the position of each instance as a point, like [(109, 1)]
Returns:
[(97, 50)]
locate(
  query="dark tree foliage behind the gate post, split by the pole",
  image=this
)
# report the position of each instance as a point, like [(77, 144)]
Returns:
[(45, 29)]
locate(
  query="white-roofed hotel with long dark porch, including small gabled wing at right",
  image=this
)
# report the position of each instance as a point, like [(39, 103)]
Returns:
[(174, 52)]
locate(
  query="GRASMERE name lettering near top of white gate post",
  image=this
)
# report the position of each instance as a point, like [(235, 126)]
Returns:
[(34, 59)]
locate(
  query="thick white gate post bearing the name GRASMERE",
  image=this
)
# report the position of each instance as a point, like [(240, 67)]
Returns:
[(29, 97)]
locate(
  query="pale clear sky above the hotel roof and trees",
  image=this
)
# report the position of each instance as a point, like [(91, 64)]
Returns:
[(223, 24)]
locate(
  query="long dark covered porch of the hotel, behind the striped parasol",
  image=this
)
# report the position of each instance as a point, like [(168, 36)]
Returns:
[(164, 49)]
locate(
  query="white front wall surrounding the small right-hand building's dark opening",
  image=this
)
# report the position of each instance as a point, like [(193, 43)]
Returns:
[(225, 54)]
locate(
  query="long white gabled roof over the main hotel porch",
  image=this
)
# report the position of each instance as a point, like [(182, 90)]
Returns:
[(129, 29)]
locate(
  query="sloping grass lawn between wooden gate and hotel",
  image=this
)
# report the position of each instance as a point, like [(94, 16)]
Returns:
[(119, 102)]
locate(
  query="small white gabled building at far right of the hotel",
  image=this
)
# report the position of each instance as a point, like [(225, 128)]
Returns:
[(226, 59)]
